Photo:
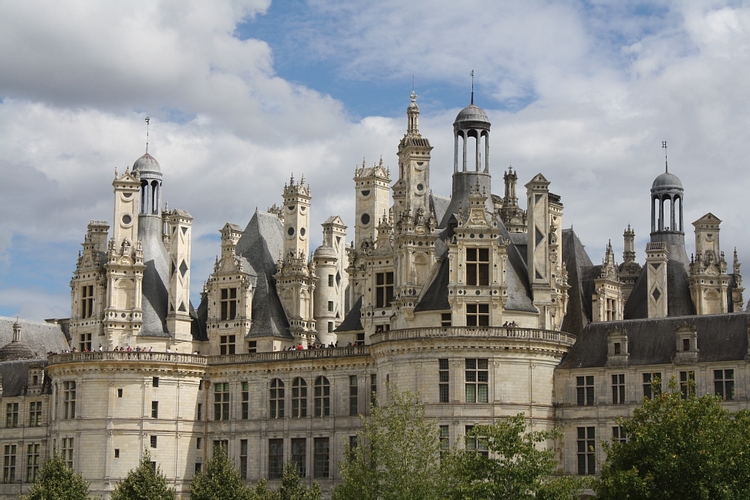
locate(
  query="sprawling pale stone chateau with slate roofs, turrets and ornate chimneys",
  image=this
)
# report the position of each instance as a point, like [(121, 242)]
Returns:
[(485, 308)]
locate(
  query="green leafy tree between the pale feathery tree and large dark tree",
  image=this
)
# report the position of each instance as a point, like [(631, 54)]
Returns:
[(504, 461)]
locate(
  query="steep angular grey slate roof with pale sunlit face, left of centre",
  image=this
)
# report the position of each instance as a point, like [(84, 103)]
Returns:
[(262, 244)]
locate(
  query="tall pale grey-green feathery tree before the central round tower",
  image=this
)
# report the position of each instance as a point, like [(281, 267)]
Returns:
[(398, 457)]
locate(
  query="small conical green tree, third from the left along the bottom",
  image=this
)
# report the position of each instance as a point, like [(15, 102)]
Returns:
[(220, 481)]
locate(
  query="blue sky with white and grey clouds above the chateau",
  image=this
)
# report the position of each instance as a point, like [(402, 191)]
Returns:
[(242, 94)]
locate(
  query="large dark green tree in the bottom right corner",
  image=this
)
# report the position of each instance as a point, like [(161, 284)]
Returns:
[(679, 448)]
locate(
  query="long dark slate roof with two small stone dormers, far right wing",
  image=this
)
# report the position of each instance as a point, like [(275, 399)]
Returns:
[(721, 337)]
